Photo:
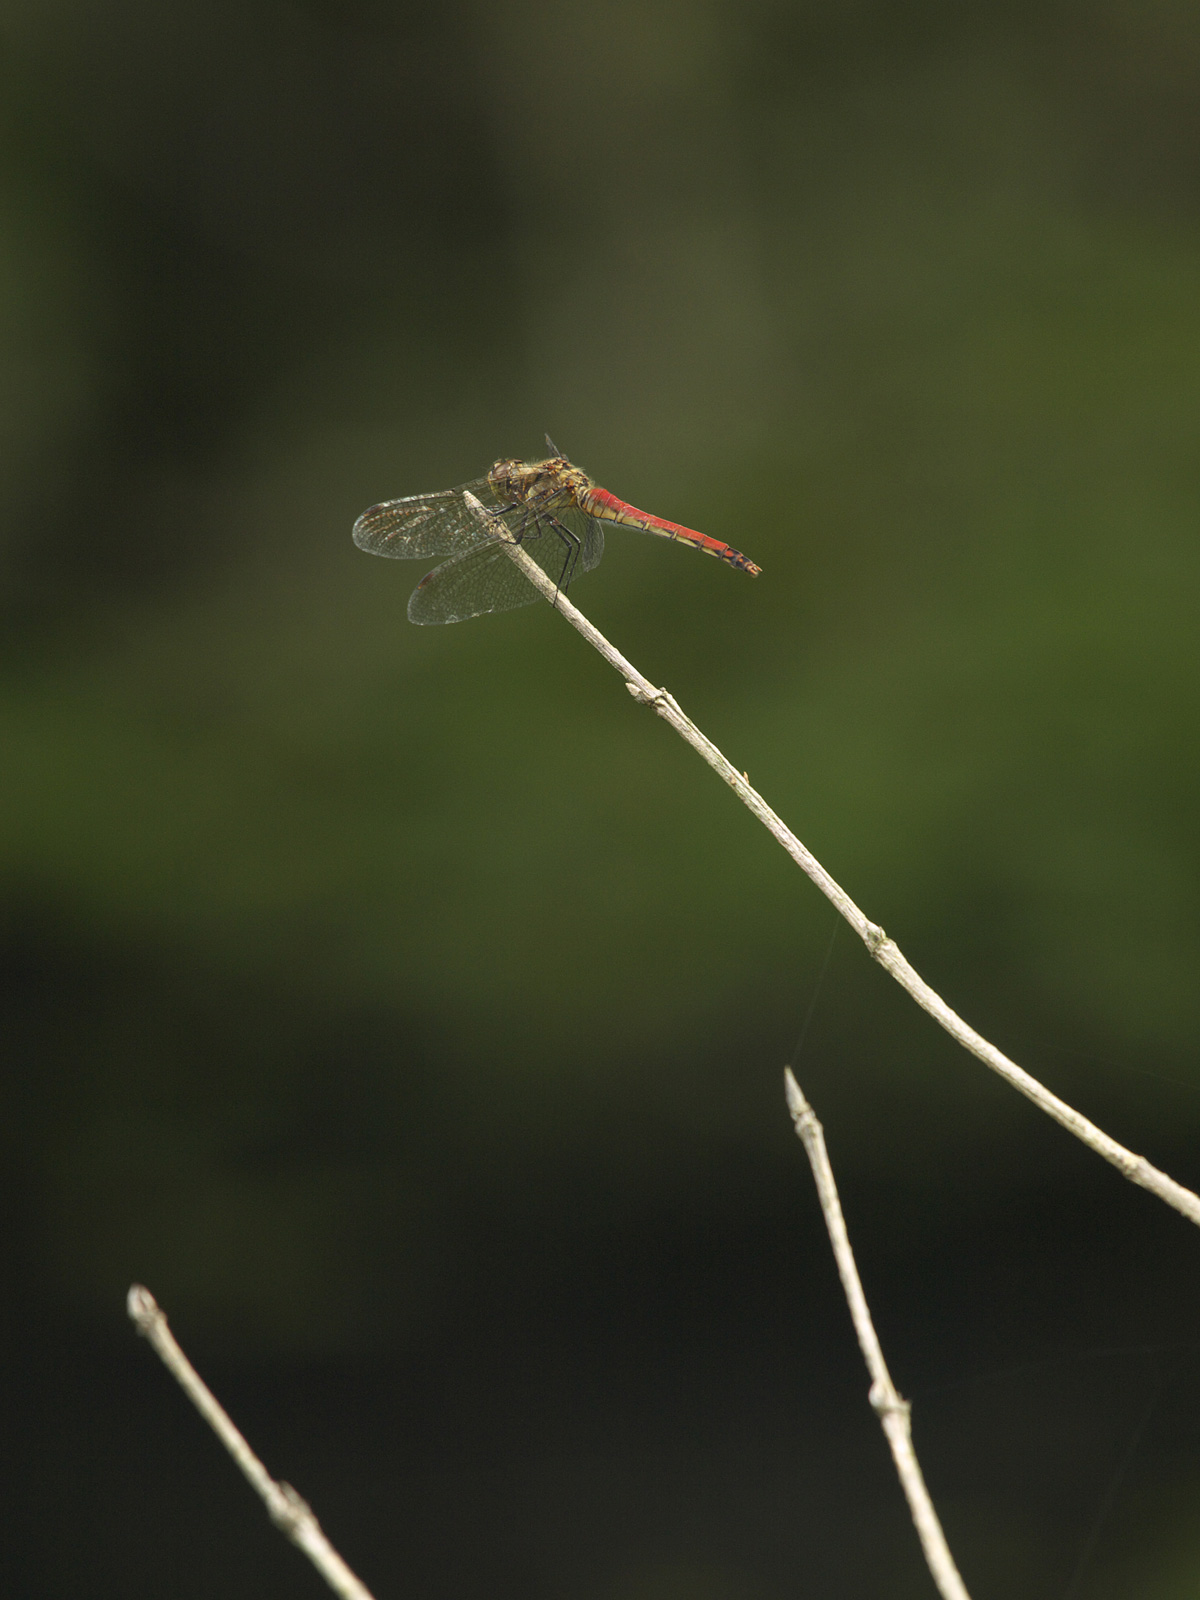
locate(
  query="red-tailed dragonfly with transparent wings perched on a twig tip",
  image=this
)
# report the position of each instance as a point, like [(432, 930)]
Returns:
[(551, 508)]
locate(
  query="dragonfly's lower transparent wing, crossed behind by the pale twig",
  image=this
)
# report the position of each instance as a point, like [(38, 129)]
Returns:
[(486, 578)]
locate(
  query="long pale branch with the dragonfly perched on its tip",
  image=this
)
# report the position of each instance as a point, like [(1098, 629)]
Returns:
[(884, 950)]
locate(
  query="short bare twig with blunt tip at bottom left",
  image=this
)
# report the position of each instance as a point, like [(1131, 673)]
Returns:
[(286, 1508)]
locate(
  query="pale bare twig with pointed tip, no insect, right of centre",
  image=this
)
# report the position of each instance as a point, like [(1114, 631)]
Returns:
[(894, 1412)]
